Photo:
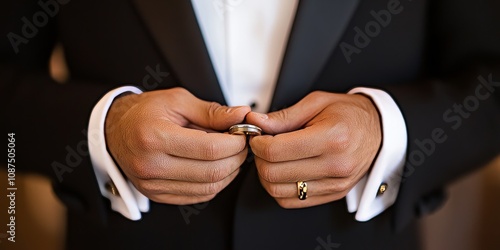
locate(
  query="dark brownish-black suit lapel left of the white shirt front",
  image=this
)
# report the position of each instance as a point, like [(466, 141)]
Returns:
[(174, 28)]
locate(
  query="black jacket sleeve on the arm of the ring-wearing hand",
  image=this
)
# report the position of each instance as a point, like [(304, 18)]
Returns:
[(453, 116)]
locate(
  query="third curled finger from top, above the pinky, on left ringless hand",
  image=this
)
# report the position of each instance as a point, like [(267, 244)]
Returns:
[(182, 188)]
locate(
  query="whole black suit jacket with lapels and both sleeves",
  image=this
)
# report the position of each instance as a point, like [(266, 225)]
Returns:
[(429, 56)]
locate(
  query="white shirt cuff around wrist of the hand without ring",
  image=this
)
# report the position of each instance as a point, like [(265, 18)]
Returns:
[(129, 201)]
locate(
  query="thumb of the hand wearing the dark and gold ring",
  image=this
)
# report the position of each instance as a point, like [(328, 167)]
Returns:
[(292, 118)]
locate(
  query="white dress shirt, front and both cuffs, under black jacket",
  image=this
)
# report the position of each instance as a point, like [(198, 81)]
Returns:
[(246, 41)]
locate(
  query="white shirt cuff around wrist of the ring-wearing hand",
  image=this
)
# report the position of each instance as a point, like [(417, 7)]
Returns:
[(388, 166)]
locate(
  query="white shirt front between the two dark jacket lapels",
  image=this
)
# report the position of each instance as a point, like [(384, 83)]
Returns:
[(246, 41)]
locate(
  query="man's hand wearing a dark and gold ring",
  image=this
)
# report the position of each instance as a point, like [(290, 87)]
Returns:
[(327, 140)]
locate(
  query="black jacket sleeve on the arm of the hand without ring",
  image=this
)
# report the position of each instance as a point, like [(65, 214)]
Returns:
[(49, 119)]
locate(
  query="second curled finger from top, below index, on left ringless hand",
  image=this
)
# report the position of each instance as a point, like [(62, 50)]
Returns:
[(166, 167)]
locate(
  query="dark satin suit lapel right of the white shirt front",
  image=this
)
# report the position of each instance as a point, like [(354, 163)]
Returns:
[(317, 29)]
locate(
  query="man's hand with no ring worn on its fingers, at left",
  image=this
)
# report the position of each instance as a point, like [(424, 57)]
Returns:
[(166, 143)]
